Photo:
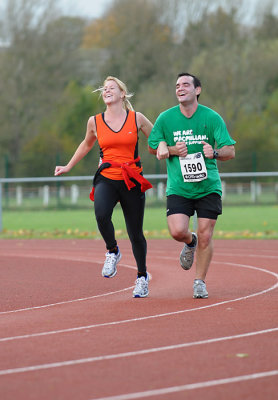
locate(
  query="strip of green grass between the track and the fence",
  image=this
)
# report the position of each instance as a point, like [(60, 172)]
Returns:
[(236, 222)]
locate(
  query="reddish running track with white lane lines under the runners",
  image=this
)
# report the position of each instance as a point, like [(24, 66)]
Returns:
[(66, 333)]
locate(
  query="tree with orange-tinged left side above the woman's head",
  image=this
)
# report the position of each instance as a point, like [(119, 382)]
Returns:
[(137, 46)]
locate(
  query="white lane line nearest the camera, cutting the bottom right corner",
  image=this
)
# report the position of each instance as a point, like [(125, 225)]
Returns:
[(191, 386)]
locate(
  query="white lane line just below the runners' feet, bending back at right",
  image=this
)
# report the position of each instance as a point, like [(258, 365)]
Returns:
[(113, 323)]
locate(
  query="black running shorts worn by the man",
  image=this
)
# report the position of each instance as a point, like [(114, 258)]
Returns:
[(209, 206)]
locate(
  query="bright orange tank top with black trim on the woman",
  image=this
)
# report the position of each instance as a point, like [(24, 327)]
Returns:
[(120, 147)]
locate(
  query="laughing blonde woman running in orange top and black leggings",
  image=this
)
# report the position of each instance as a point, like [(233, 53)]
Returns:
[(119, 176)]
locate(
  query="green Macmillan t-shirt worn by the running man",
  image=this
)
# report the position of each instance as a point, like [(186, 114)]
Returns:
[(204, 125)]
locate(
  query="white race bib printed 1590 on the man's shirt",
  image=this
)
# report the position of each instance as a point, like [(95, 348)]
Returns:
[(193, 167)]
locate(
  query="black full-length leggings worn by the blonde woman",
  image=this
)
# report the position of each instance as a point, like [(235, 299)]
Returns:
[(107, 193)]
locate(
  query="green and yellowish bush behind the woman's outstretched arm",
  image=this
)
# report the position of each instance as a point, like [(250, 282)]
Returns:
[(60, 134)]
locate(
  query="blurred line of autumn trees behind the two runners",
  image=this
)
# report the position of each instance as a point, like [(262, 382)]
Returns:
[(50, 63)]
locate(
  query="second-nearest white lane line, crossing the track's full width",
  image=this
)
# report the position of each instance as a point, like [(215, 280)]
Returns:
[(131, 353)]
